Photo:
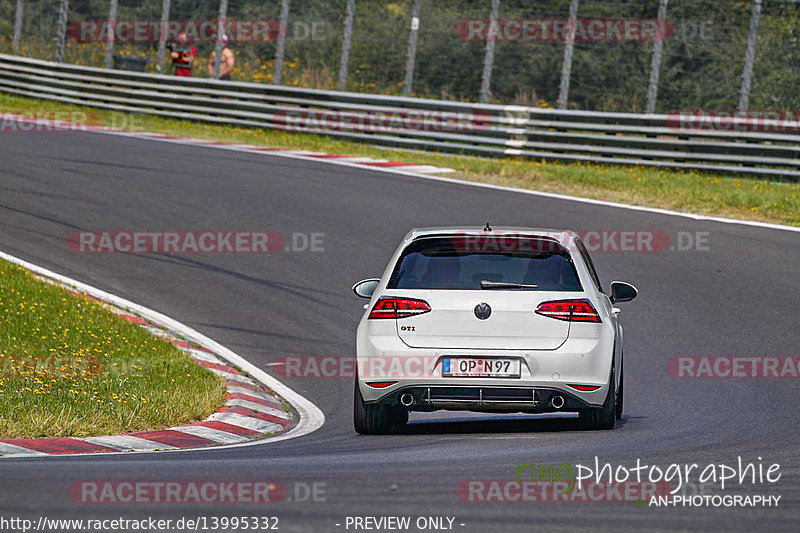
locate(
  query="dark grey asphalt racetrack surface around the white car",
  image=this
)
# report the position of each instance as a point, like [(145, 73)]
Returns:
[(738, 298)]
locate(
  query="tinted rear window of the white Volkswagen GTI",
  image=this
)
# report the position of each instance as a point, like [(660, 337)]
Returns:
[(463, 262)]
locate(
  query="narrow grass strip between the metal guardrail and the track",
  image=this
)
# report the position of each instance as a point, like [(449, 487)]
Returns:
[(688, 191)]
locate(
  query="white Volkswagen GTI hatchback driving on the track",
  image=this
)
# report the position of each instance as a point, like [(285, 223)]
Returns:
[(489, 320)]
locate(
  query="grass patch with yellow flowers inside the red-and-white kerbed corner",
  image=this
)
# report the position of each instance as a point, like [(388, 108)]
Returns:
[(70, 367)]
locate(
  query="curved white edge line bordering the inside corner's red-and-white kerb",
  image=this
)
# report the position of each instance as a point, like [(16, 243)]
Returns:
[(311, 417)]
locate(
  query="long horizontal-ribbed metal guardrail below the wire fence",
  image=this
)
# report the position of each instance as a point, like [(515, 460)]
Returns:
[(489, 130)]
